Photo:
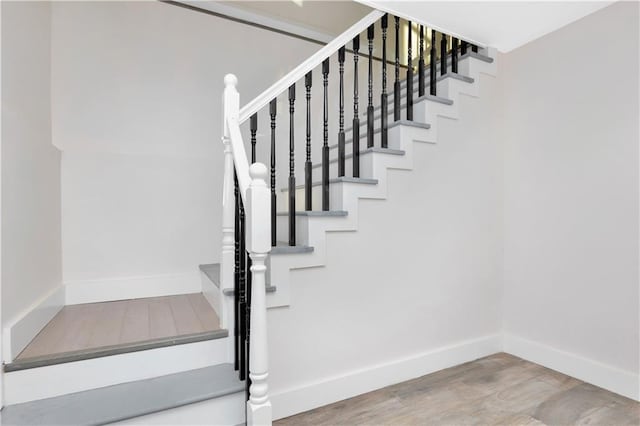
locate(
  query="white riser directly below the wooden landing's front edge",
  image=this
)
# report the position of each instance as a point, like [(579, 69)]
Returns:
[(55, 380)]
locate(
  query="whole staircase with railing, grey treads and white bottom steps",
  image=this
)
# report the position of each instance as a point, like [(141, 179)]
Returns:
[(269, 230)]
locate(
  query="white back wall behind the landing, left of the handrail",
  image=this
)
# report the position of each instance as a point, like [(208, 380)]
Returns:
[(137, 113)]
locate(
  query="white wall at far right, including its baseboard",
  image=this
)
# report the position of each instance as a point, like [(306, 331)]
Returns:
[(571, 199)]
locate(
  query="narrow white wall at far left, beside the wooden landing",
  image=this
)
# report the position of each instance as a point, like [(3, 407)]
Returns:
[(31, 247)]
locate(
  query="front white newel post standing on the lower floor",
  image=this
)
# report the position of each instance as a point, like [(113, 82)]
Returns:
[(258, 244)]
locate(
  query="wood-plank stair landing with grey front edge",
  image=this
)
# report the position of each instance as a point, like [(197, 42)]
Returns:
[(94, 330)]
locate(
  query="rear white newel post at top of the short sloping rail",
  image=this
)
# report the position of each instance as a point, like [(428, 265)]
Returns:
[(231, 106)]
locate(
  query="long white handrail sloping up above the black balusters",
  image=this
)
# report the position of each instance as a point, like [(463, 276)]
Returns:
[(301, 70)]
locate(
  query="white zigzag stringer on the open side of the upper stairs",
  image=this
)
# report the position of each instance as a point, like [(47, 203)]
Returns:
[(346, 195)]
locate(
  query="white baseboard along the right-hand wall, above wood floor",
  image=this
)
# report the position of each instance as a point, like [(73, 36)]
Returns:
[(605, 376)]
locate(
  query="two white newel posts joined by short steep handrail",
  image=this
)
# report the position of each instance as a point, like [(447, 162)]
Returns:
[(256, 198)]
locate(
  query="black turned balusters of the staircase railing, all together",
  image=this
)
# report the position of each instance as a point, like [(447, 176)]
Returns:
[(401, 99)]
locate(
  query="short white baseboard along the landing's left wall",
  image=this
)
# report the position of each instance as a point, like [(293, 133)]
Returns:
[(21, 330)]
